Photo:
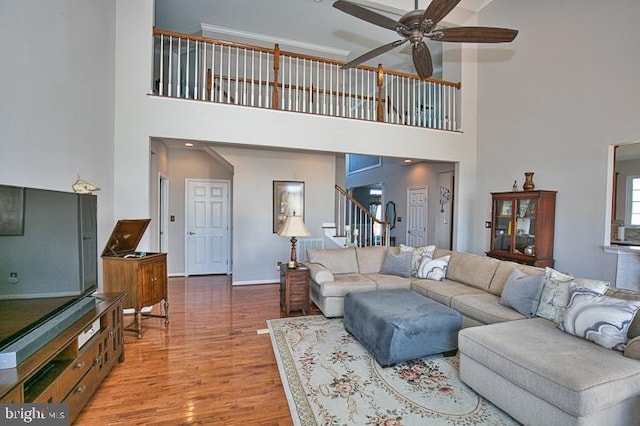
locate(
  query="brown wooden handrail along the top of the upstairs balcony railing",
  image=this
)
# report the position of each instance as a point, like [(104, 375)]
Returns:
[(277, 53)]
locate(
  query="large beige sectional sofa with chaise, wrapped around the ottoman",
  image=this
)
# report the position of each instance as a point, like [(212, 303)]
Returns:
[(530, 368)]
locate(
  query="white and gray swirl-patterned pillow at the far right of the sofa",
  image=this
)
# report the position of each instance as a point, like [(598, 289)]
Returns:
[(601, 319)]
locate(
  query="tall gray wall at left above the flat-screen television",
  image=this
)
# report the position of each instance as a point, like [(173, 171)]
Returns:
[(57, 109)]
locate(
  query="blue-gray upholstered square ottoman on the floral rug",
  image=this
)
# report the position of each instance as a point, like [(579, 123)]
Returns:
[(399, 325)]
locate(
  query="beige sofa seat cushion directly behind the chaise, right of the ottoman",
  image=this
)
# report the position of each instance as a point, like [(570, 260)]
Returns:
[(484, 307)]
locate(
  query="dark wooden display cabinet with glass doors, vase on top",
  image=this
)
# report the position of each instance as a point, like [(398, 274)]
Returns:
[(522, 227)]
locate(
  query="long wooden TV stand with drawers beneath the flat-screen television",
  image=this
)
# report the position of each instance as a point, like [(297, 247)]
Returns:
[(71, 366)]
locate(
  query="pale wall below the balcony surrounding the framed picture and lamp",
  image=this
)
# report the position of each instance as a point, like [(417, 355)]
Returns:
[(256, 249)]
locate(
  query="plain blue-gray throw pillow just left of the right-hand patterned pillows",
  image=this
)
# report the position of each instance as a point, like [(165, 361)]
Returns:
[(522, 292)]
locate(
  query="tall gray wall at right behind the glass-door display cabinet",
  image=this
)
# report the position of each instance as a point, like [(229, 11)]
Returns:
[(553, 102)]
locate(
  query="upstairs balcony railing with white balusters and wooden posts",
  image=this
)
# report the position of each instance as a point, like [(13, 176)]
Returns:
[(205, 69)]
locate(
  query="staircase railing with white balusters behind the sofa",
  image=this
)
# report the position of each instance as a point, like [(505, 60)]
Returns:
[(356, 223)]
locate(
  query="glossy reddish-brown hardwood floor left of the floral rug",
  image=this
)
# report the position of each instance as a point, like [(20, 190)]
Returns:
[(209, 366)]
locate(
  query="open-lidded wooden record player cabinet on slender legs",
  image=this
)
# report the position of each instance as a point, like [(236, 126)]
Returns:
[(142, 276)]
